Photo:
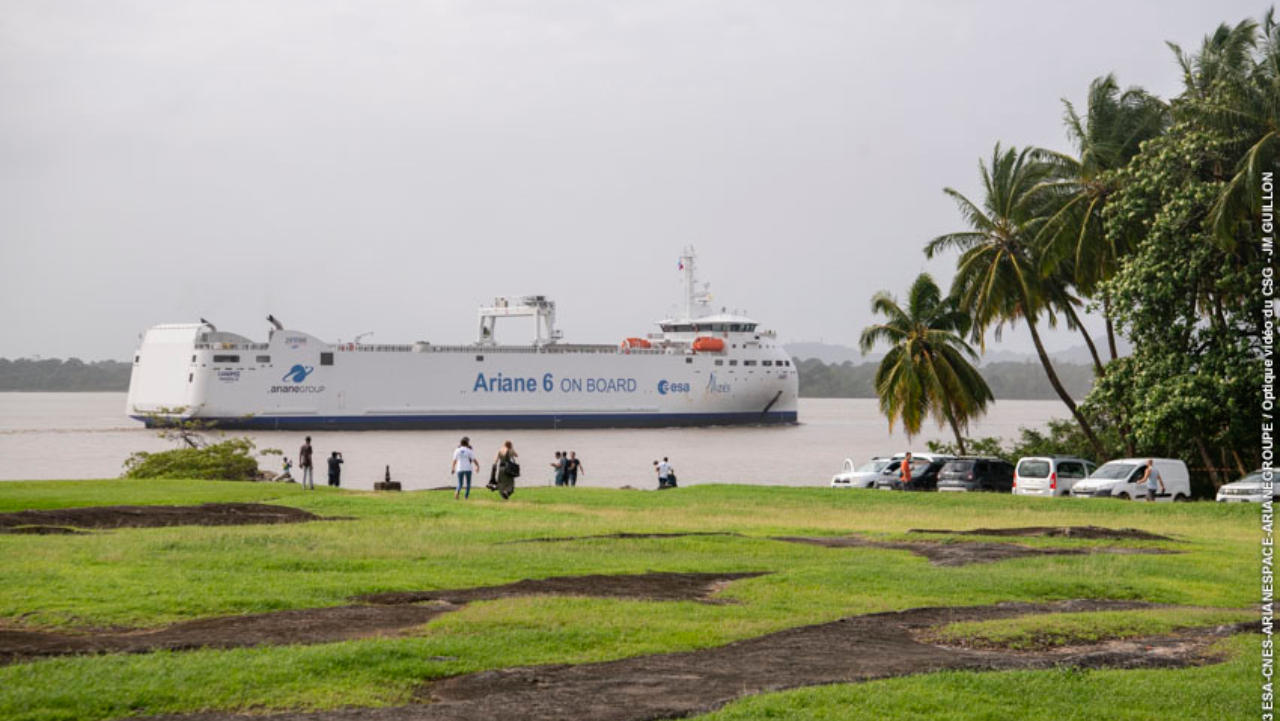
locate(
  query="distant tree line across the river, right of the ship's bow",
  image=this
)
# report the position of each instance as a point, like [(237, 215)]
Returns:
[(1008, 381)]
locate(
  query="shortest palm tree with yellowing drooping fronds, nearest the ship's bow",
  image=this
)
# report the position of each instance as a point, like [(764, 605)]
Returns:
[(926, 372)]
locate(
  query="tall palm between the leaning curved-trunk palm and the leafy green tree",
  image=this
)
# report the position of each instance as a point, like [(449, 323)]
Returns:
[(1107, 138)]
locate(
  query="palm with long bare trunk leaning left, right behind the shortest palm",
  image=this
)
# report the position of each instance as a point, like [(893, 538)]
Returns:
[(999, 276)]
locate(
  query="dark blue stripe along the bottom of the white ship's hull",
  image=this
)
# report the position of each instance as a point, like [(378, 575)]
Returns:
[(492, 422)]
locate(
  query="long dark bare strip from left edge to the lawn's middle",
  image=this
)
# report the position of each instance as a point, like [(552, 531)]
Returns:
[(386, 614)]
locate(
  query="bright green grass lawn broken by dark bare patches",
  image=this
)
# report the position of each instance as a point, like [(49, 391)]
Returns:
[(141, 578)]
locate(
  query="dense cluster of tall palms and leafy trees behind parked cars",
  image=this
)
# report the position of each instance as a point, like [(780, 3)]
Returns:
[(1156, 220)]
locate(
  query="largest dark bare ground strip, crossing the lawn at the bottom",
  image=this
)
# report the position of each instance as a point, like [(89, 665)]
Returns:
[(676, 686)]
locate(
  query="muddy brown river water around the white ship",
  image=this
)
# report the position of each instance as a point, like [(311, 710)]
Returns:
[(79, 436)]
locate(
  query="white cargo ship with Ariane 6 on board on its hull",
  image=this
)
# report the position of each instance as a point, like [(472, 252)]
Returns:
[(701, 368)]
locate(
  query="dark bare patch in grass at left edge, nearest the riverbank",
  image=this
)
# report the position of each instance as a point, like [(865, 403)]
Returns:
[(158, 517)]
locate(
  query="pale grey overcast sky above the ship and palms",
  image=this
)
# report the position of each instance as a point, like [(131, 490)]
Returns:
[(388, 166)]
